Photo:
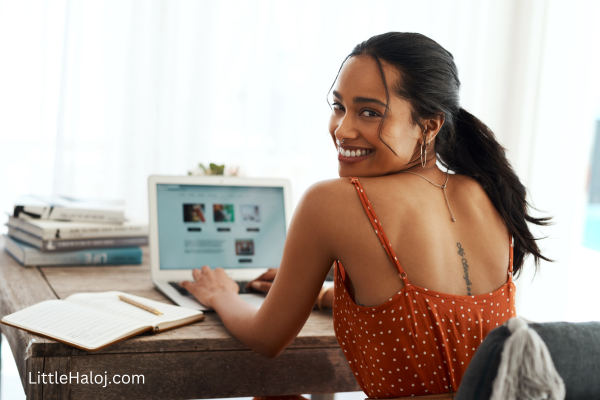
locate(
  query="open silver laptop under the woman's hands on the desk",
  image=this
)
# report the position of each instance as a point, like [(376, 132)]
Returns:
[(238, 224)]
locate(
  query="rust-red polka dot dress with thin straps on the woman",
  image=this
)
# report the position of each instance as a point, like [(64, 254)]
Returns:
[(419, 342)]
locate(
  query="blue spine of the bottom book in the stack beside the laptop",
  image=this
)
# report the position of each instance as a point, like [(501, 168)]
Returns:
[(125, 255)]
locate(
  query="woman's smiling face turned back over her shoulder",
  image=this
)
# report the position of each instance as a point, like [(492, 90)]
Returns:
[(358, 105)]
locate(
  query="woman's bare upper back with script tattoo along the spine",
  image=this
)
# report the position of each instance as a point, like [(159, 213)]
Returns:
[(429, 246)]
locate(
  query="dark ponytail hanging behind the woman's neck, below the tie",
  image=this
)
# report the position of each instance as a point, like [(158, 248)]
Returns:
[(471, 149)]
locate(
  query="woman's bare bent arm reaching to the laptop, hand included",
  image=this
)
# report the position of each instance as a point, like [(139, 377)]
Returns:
[(307, 257)]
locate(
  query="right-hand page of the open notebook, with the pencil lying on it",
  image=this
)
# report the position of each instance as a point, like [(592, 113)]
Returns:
[(110, 303)]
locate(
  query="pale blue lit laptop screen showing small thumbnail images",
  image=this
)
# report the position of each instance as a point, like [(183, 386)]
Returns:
[(220, 226)]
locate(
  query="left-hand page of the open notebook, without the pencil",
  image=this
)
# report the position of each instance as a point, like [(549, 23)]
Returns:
[(73, 323)]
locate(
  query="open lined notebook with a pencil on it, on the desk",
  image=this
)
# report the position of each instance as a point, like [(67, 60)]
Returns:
[(91, 321)]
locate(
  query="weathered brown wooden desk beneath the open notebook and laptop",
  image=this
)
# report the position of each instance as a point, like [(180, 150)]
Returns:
[(201, 360)]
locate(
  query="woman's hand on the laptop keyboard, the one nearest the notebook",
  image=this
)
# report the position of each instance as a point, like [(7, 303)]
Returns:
[(209, 283)]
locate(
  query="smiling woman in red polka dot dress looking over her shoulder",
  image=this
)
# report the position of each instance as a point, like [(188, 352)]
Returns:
[(424, 264)]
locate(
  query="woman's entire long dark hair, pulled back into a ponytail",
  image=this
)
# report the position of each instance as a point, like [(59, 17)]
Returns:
[(464, 144)]
